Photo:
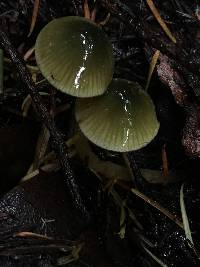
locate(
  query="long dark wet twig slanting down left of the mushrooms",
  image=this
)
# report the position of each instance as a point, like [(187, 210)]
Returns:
[(42, 112)]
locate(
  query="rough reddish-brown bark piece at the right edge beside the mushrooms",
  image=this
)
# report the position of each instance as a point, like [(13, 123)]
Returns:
[(191, 132)]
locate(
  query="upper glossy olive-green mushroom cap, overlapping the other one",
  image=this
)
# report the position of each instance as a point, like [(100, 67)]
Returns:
[(75, 56)]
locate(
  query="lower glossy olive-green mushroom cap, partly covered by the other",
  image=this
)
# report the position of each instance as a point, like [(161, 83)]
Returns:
[(122, 119)]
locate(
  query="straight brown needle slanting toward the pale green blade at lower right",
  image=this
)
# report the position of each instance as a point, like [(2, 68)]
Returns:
[(158, 207)]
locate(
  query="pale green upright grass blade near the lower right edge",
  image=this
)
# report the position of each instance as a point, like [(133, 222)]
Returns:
[(184, 217)]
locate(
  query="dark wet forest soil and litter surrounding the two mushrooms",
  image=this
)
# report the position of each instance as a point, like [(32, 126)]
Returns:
[(71, 203)]
